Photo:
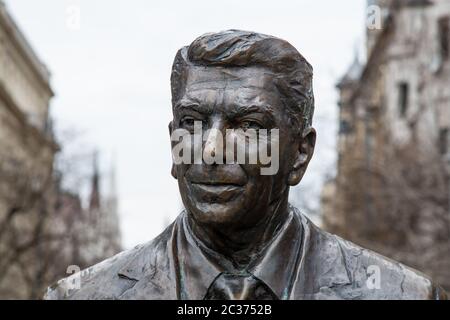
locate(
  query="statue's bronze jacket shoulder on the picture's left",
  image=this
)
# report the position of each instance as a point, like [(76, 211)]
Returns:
[(112, 277)]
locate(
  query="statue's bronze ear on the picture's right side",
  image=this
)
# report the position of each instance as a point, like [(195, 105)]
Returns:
[(302, 156)]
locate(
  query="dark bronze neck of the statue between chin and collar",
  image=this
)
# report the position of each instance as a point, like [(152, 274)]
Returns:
[(240, 244)]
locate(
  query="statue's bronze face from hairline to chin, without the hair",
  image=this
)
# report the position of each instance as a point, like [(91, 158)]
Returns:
[(233, 194)]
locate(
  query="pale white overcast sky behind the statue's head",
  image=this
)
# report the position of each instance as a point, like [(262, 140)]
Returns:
[(111, 77)]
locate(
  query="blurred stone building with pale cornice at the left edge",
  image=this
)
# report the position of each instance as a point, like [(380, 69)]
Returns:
[(27, 149)]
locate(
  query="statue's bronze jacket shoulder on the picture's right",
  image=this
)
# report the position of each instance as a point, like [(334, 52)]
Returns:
[(349, 271)]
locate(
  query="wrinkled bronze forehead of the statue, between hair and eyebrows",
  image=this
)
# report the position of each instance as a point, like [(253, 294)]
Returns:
[(231, 86)]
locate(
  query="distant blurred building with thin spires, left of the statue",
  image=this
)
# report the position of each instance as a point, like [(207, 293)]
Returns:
[(91, 231)]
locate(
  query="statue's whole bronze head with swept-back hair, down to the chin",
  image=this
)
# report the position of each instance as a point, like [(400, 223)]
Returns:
[(227, 85)]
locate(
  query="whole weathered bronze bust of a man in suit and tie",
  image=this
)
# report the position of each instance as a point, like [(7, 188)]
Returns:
[(238, 237)]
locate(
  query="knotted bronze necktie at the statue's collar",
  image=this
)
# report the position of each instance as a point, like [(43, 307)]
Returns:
[(241, 286)]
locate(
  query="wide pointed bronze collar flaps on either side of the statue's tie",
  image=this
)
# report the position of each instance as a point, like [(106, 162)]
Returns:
[(275, 265)]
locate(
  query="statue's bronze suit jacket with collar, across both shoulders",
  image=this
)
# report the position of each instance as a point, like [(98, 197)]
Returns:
[(301, 262)]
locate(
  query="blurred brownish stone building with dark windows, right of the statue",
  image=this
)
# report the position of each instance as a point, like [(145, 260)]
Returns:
[(391, 192)]
